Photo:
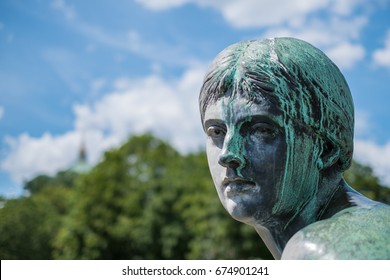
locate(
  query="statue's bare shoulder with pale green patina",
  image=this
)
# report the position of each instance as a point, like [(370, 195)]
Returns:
[(354, 233)]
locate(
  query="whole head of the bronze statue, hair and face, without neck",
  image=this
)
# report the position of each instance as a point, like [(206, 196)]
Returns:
[(311, 117)]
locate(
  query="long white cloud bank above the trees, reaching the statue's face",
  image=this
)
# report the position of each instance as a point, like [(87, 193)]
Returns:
[(169, 109)]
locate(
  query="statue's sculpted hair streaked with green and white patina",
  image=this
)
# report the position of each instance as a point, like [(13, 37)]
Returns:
[(307, 86)]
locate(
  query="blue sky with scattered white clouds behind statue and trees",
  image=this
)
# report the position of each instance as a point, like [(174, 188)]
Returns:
[(99, 71)]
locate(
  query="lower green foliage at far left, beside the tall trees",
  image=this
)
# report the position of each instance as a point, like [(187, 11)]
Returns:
[(29, 224)]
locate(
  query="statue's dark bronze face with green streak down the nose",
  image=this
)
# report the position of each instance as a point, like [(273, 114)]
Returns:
[(246, 150)]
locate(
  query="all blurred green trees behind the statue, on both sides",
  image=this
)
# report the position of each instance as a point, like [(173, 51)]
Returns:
[(144, 200)]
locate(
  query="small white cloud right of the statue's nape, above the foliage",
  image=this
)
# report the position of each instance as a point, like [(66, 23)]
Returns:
[(376, 156)]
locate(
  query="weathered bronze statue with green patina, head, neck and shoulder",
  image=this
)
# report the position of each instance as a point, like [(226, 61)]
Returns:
[(279, 120)]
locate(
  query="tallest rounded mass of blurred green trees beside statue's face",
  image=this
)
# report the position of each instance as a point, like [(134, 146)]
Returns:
[(146, 201)]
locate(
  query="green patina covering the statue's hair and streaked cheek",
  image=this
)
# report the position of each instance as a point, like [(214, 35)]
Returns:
[(312, 94)]
